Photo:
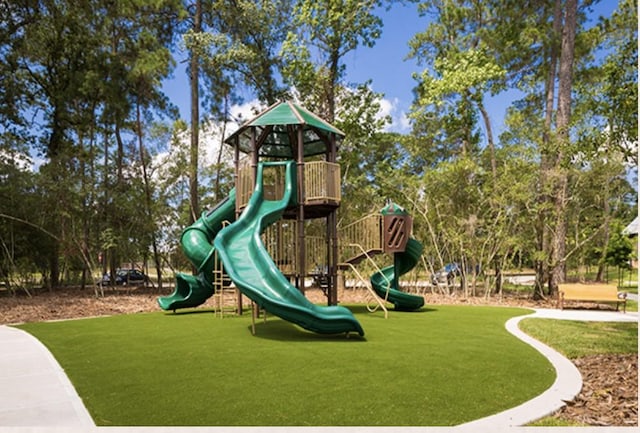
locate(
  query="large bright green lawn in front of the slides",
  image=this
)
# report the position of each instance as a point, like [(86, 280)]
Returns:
[(441, 366)]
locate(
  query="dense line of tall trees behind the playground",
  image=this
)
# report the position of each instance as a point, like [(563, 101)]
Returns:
[(81, 99)]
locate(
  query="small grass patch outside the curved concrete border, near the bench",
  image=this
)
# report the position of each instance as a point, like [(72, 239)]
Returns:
[(577, 339)]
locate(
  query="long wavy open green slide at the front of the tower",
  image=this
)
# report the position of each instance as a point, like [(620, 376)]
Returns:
[(252, 269)]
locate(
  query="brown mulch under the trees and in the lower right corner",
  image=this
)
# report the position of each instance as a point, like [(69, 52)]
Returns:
[(610, 382)]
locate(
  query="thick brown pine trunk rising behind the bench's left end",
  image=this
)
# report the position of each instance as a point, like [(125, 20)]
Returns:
[(565, 79)]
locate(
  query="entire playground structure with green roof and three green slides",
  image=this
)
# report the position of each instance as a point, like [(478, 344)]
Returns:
[(287, 177)]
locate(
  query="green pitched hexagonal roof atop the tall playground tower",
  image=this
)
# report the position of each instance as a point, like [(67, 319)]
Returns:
[(277, 132)]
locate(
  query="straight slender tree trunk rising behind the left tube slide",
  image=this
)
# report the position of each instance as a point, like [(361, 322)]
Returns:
[(194, 72)]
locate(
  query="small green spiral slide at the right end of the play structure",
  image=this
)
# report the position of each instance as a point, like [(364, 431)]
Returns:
[(387, 278)]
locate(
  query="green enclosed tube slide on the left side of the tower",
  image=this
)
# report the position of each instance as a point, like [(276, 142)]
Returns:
[(197, 244)]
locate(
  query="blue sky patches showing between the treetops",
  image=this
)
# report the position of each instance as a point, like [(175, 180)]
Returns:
[(386, 65)]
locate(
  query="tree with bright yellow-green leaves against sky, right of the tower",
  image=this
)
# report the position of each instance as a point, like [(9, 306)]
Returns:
[(461, 67)]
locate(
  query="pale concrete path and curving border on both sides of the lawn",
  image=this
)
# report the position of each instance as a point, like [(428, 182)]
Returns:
[(35, 392)]
